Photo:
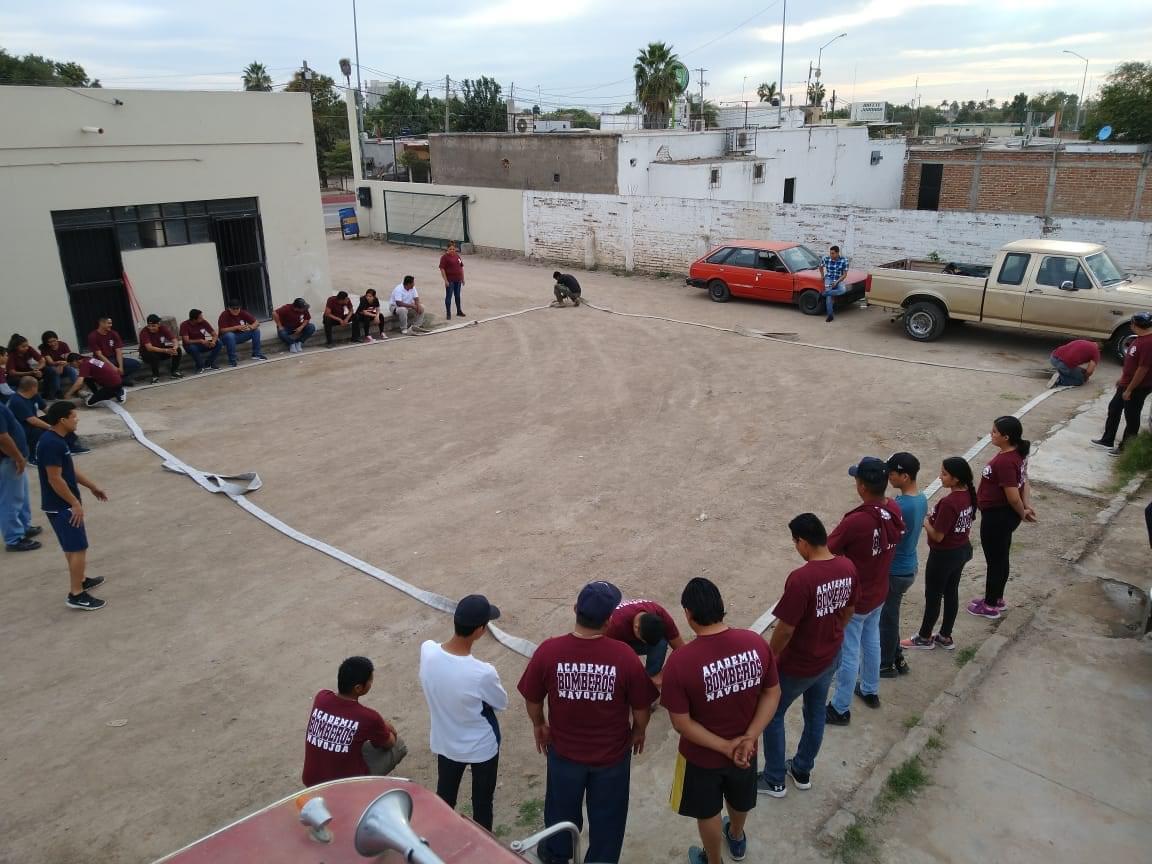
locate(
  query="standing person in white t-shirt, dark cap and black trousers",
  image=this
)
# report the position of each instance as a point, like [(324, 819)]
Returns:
[(464, 695)]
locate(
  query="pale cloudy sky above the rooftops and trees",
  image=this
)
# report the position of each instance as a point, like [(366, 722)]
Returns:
[(581, 52)]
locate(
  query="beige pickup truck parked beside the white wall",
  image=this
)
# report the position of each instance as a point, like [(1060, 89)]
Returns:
[(1051, 286)]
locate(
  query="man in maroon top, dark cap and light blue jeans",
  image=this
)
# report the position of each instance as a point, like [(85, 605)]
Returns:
[(868, 537)]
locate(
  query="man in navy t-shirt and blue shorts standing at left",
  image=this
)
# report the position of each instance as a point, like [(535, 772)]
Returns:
[(60, 484)]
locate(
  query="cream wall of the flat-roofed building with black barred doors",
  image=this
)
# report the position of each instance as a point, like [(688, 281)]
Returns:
[(156, 148)]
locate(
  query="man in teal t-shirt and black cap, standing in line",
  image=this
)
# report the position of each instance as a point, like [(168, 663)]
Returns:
[(914, 506)]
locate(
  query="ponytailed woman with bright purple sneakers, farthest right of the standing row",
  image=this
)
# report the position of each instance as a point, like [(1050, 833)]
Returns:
[(1005, 502)]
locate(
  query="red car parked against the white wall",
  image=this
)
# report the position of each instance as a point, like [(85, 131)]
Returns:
[(764, 270)]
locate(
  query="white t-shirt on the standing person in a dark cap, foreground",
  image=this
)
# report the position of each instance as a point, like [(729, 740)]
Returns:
[(457, 689)]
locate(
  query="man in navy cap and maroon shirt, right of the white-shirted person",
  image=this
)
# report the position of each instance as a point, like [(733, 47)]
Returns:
[(598, 708)]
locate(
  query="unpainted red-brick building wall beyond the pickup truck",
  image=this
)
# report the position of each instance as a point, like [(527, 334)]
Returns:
[(1108, 185)]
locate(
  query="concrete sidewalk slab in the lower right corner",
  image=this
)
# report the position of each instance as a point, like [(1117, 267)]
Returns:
[(1049, 762)]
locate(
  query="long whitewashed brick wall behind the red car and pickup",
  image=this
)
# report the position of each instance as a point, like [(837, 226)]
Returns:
[(668, 234)]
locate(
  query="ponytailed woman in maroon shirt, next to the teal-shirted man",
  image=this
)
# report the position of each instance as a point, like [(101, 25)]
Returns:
[(948, 528)]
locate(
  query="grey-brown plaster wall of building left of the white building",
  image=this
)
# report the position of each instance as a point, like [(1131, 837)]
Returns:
[(583, 162)]
